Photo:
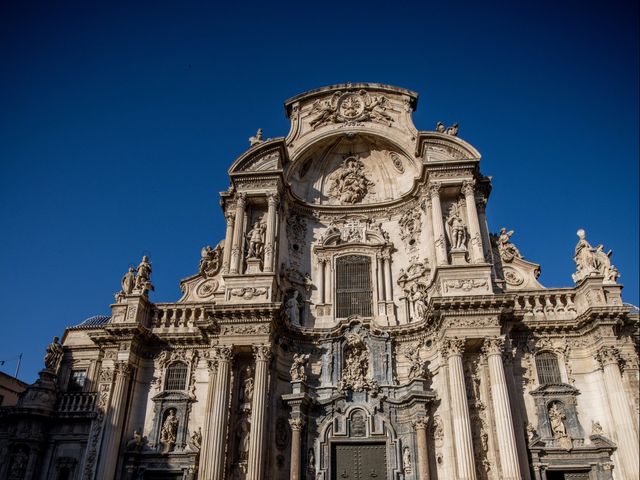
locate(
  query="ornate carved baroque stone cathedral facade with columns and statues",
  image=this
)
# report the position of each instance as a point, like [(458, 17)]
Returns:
[(357, 321)]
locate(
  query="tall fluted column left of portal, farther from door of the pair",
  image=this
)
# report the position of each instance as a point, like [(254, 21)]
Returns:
[(219, 414)]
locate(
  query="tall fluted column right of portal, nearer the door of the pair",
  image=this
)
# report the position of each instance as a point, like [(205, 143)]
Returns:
[(452, 350)]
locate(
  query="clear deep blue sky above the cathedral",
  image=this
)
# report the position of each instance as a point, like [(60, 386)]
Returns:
[(118, 121)]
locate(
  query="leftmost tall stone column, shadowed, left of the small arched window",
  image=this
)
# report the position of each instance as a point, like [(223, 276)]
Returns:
[(112, 436)]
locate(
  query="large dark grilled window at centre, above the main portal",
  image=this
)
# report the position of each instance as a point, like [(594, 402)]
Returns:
[(353, 286)]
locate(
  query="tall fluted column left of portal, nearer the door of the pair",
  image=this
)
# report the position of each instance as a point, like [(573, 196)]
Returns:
[(257, 447)]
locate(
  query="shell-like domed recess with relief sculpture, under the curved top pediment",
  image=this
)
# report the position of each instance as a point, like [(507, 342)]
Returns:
[(352, 169)]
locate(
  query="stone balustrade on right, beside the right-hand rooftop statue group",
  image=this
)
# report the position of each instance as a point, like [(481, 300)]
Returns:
[(548, 304)]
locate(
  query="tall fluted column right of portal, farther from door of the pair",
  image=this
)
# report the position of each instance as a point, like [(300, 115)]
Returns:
[(502, 410)]
